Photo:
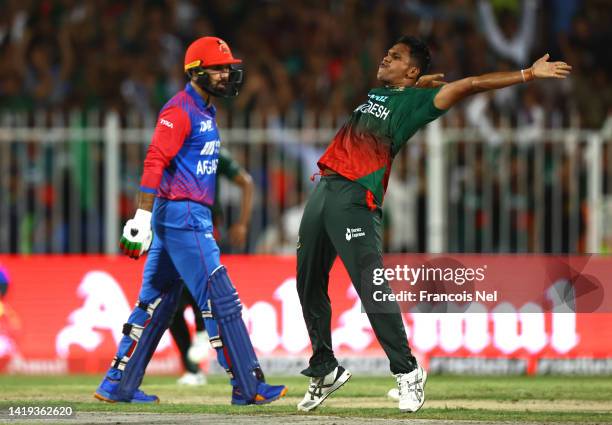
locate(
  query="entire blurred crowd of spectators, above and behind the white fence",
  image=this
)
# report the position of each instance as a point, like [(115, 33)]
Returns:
[(308, 63)]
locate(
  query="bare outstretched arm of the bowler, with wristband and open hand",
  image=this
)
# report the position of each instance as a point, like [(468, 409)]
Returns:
[(452, 93)]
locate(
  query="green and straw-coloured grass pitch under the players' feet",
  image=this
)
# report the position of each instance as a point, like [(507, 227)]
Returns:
[(517, 399)]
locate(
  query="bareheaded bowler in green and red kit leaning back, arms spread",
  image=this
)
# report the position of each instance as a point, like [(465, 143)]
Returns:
[(343, 215)]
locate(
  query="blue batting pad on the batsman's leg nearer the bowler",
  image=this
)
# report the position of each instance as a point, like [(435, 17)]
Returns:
[(227, 311)]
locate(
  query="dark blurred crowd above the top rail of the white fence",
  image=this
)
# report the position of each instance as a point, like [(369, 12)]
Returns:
[(299, 55)]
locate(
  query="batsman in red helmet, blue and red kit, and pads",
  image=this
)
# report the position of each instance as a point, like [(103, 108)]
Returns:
[(176, 195)]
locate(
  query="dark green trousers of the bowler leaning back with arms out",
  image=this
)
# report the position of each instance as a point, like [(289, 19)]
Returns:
[(338, 221)]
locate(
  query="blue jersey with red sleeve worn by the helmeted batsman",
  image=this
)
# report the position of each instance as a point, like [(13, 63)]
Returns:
[(183, 156)]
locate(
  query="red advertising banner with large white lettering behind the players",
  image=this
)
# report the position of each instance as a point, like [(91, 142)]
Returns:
[(64, 314)]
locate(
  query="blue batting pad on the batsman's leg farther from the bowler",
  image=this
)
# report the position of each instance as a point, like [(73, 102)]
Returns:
[(142, 333)]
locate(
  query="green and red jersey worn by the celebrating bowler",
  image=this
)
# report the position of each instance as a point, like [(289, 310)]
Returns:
[(365, 146)]
